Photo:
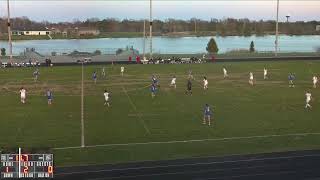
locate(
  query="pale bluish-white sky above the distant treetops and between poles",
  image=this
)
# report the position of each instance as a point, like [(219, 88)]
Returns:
[(59, 10)]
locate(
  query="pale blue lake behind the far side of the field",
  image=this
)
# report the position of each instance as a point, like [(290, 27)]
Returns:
[(170, 45)]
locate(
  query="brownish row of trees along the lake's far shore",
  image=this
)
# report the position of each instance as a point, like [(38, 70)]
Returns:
[(224, 27)]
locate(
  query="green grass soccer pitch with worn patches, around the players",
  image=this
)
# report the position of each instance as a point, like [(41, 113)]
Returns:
[(265, 118)]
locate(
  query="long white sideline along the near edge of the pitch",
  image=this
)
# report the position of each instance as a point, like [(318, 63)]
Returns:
[(190, 141)]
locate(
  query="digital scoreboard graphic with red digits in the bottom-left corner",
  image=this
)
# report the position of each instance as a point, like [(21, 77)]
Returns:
[(26, 166)]
